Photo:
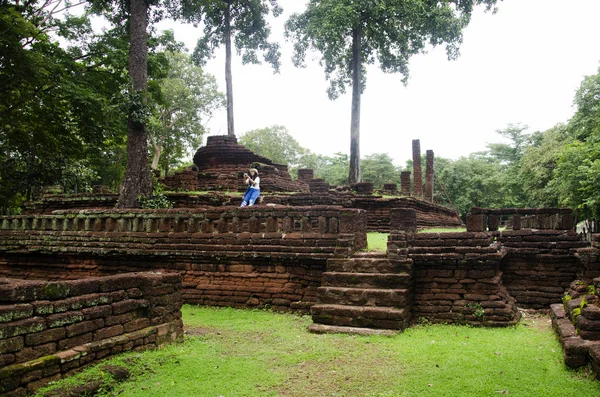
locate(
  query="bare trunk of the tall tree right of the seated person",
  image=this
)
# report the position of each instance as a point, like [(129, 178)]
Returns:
[(354, 172)]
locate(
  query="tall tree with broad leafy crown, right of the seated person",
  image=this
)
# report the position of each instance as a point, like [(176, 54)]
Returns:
[(349, 34)]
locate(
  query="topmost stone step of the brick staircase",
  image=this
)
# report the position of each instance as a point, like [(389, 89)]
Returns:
[(368, 265)]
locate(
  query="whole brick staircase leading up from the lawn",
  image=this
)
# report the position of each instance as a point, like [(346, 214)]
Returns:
[(364, 294)]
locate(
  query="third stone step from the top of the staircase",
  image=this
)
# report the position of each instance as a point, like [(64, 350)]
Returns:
[(362, 296)]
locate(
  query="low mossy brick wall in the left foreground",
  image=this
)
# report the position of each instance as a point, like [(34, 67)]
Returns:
[(49, 329)]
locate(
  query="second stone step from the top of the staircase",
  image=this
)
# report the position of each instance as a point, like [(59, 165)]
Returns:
[(367, 280)]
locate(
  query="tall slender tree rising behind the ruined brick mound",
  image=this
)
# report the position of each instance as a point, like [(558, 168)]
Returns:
[(242, 20)]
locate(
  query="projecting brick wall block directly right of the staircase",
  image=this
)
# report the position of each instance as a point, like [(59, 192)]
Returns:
[(458, 279)]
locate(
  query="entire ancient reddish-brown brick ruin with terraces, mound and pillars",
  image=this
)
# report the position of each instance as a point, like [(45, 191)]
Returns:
[(299, 252)]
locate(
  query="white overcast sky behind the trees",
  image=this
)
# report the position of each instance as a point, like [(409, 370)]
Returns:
[(521, 65)]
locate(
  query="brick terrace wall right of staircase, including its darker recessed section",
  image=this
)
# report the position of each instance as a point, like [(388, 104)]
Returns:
[(534, 267)]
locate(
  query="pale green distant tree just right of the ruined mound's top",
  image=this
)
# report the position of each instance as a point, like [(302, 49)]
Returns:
[(274, 143)]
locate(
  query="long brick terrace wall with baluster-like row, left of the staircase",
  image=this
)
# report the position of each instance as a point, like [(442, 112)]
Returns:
[(228, 257)]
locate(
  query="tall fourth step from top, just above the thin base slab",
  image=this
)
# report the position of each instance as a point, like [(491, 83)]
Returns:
[(359, 316)]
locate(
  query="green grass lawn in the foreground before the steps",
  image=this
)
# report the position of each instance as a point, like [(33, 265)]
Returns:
[(229, 352)]
